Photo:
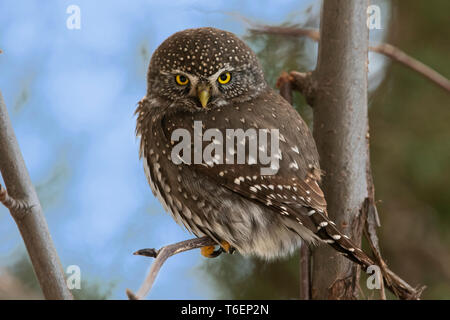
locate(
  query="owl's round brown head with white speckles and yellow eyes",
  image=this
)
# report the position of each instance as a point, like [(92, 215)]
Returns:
[(203, 68)]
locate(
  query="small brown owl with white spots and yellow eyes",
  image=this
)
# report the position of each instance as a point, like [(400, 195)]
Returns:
[(209, 79)]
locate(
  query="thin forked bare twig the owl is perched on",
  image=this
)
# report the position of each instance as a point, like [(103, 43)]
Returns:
[(161, 256)]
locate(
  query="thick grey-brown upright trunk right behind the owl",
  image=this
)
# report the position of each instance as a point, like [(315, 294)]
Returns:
[(340, 128)]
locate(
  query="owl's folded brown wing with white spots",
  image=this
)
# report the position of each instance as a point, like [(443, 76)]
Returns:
[(293, 191)]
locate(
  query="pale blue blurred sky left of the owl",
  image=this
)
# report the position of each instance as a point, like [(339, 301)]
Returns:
[(71, 95)]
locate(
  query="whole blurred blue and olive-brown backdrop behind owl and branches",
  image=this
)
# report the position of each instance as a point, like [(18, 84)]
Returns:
[(71, 95)]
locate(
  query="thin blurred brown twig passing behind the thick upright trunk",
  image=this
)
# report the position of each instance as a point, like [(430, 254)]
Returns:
[(383, 48)]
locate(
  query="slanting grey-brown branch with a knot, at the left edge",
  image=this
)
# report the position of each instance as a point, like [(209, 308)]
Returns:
[(21, 199)]
